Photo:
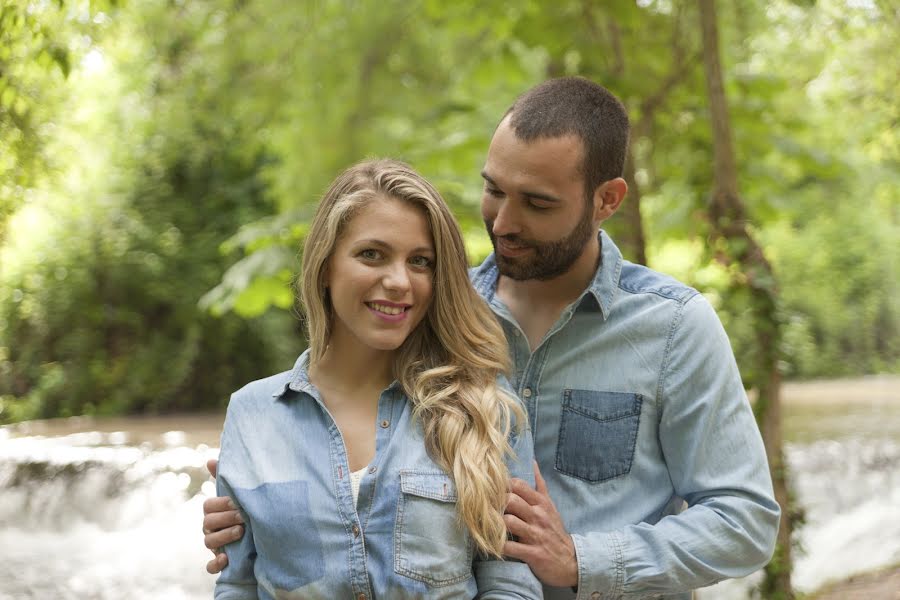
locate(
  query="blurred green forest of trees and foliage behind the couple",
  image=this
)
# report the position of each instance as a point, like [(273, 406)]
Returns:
[(160, 162)]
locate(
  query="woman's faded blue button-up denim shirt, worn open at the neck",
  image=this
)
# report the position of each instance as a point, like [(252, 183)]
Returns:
[(284, 463)]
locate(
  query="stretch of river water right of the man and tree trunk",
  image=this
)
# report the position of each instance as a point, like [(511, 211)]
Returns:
[(842, 445)]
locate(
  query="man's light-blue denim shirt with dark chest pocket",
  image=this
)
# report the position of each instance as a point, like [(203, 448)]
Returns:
[(636, 408)]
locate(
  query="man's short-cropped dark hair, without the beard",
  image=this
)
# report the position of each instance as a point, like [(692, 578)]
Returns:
[(576, 106)]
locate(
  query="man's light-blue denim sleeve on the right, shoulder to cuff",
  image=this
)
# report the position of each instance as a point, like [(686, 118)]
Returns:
[(717, 463)]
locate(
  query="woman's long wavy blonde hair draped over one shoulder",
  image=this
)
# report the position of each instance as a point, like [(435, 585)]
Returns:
[(448, 366)]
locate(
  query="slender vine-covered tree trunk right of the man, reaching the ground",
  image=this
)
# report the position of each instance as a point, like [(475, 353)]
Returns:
[(736, 245)]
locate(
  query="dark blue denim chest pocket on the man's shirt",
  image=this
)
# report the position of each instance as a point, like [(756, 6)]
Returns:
[(597, 434)]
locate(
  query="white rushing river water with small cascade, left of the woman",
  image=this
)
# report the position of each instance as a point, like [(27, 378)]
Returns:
[(108, 513)]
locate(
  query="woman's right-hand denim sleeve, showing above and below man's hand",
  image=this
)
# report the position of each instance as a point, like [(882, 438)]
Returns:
[(511, 579)]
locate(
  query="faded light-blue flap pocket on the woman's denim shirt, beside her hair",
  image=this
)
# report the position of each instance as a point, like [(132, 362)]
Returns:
[(430, 544)]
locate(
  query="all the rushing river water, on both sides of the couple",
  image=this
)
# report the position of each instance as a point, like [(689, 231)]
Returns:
[(97, 510)]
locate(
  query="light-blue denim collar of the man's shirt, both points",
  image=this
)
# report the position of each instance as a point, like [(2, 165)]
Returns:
[(602, 288)]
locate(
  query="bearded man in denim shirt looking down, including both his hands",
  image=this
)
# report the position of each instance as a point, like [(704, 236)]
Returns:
[(634, 398)]
